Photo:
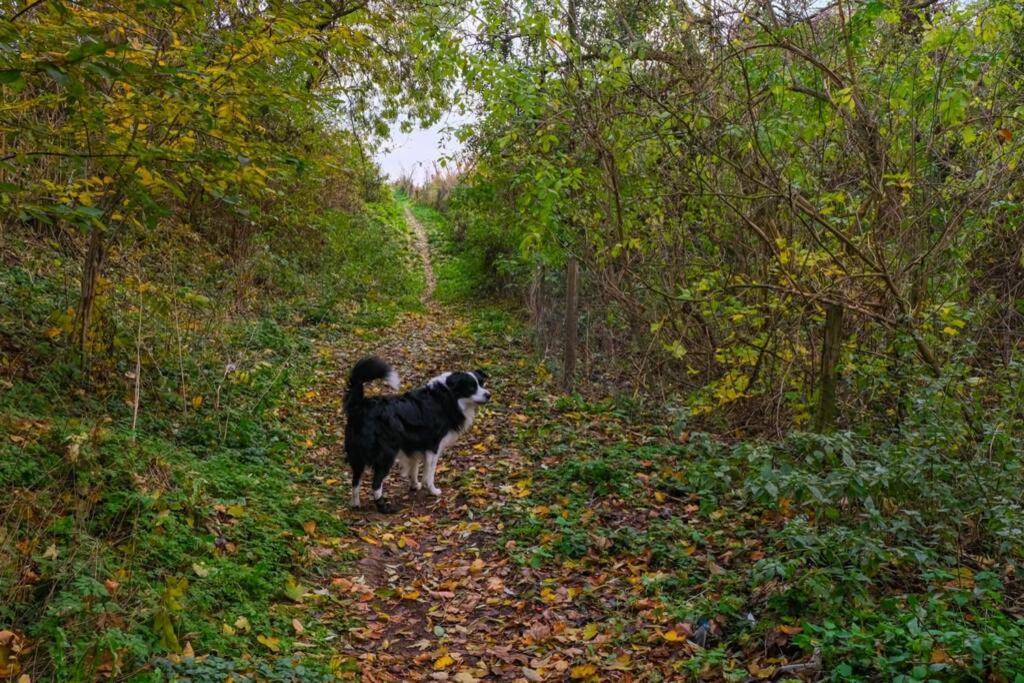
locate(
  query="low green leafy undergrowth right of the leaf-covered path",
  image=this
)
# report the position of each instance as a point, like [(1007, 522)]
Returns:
[(887, 557)]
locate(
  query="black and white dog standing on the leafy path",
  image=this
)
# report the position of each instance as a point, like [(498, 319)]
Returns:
[(414, 429)]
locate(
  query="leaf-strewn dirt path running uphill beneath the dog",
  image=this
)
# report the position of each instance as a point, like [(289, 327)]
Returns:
[(432, 595)]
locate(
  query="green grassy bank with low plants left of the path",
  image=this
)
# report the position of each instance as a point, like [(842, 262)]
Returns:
[(120, 547)]
